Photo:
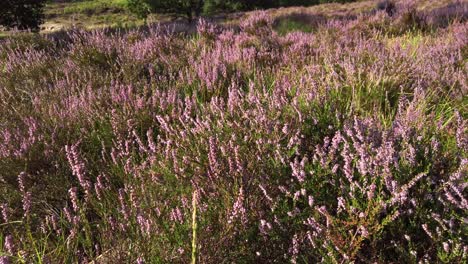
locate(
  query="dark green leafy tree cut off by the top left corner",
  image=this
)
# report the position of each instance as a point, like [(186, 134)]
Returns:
[(22, 14)]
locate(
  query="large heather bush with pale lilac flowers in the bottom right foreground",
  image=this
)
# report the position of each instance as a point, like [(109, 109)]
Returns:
[(366, 208)]
